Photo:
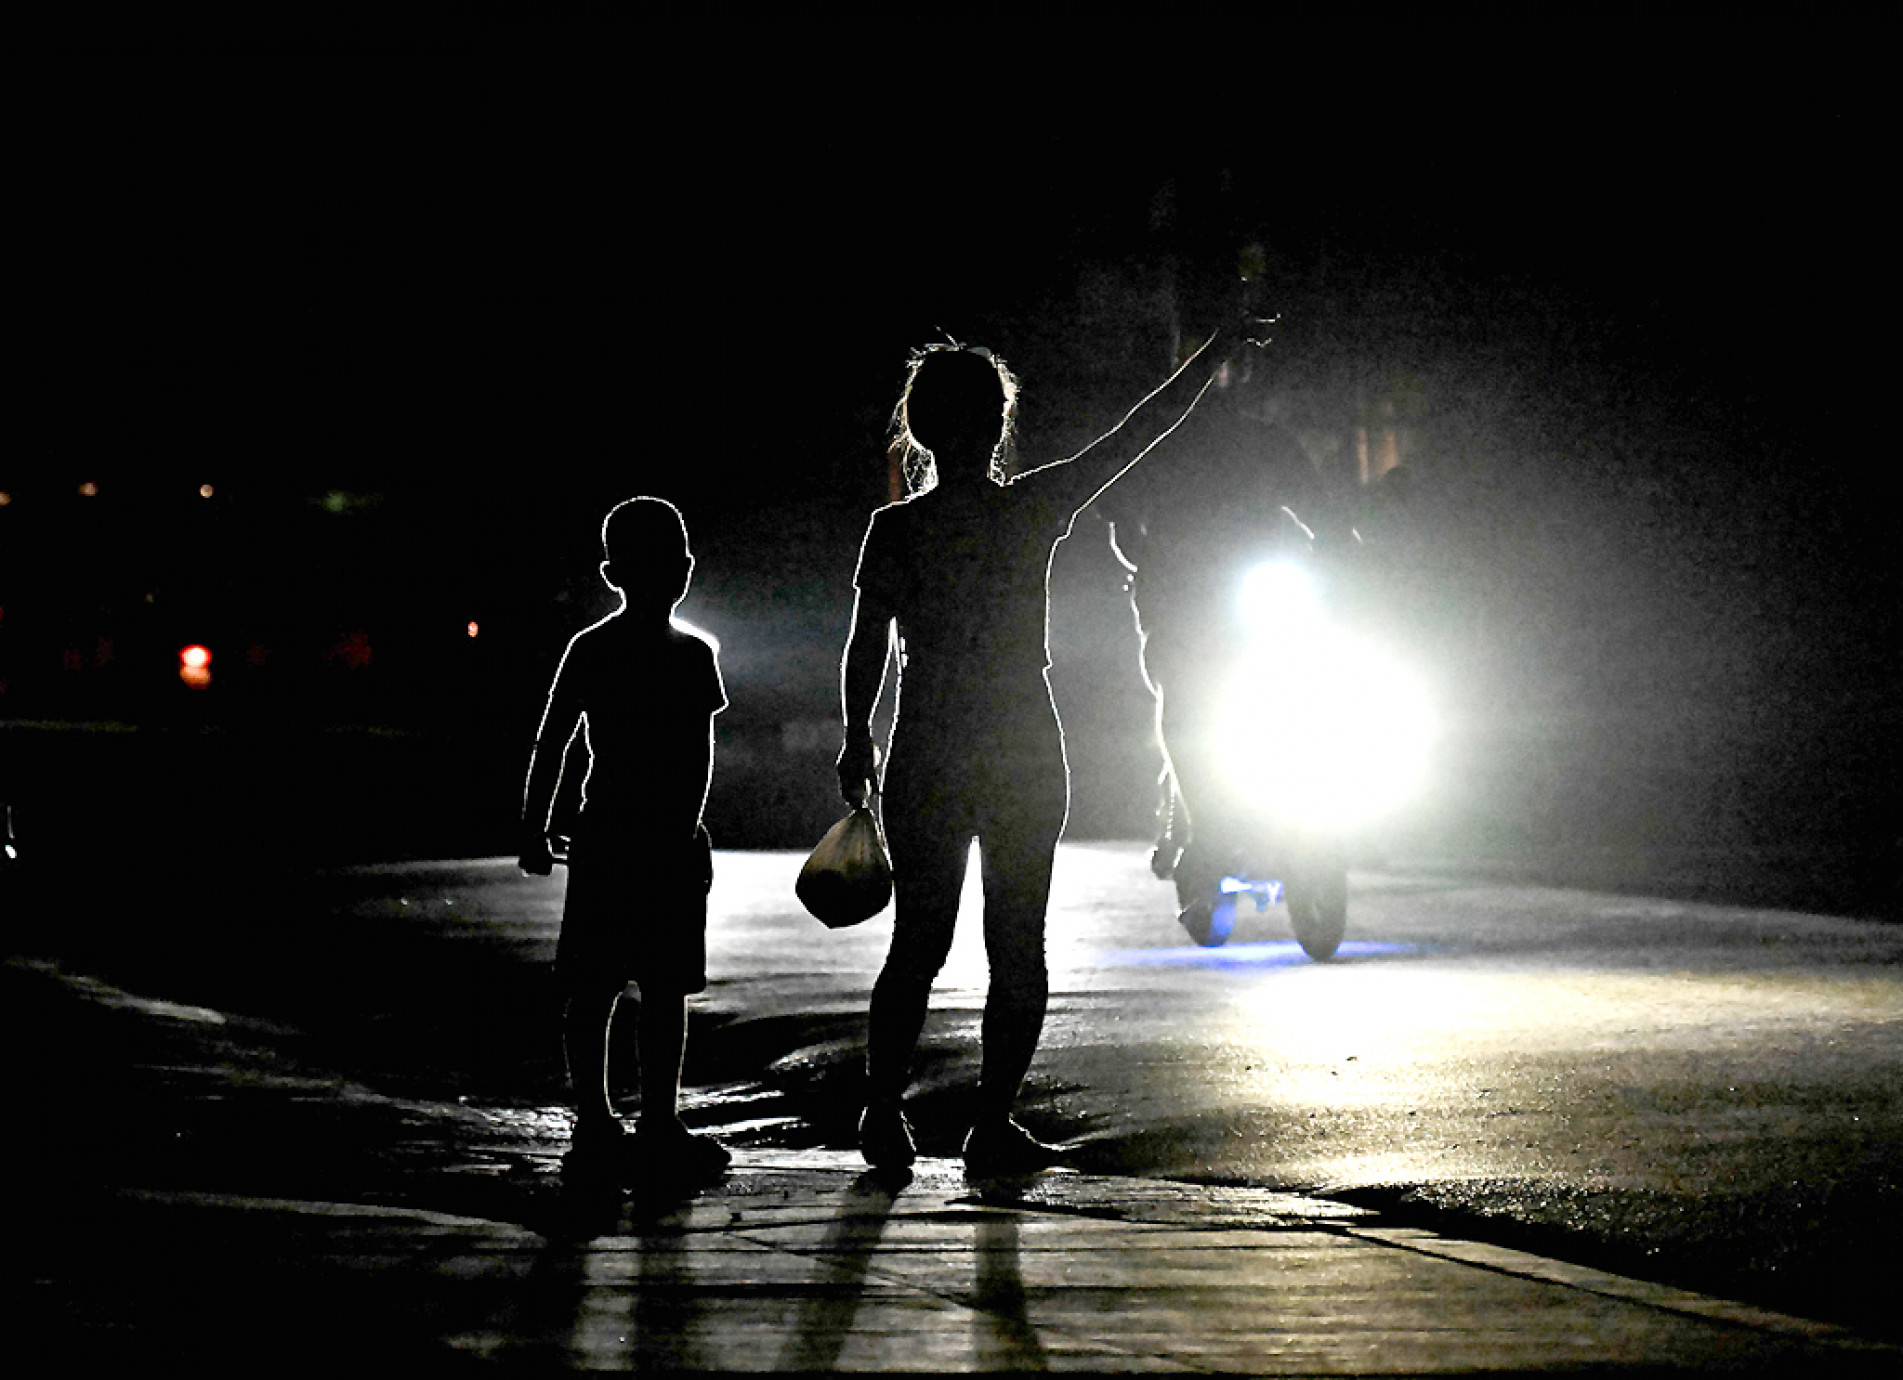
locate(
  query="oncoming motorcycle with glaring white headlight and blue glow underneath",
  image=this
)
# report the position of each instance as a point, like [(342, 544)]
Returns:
[(1297, 745)]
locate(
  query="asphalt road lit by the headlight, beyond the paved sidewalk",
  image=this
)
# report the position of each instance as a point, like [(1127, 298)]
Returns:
[(1697, 1094)]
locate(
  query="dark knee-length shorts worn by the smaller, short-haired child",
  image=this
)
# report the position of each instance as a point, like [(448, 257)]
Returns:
[(635, 915)]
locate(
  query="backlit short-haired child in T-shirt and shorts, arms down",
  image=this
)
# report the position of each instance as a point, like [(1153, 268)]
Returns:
[(644, 692)]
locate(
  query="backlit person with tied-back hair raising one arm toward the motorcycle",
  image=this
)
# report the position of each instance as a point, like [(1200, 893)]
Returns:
[(958, 574)]
